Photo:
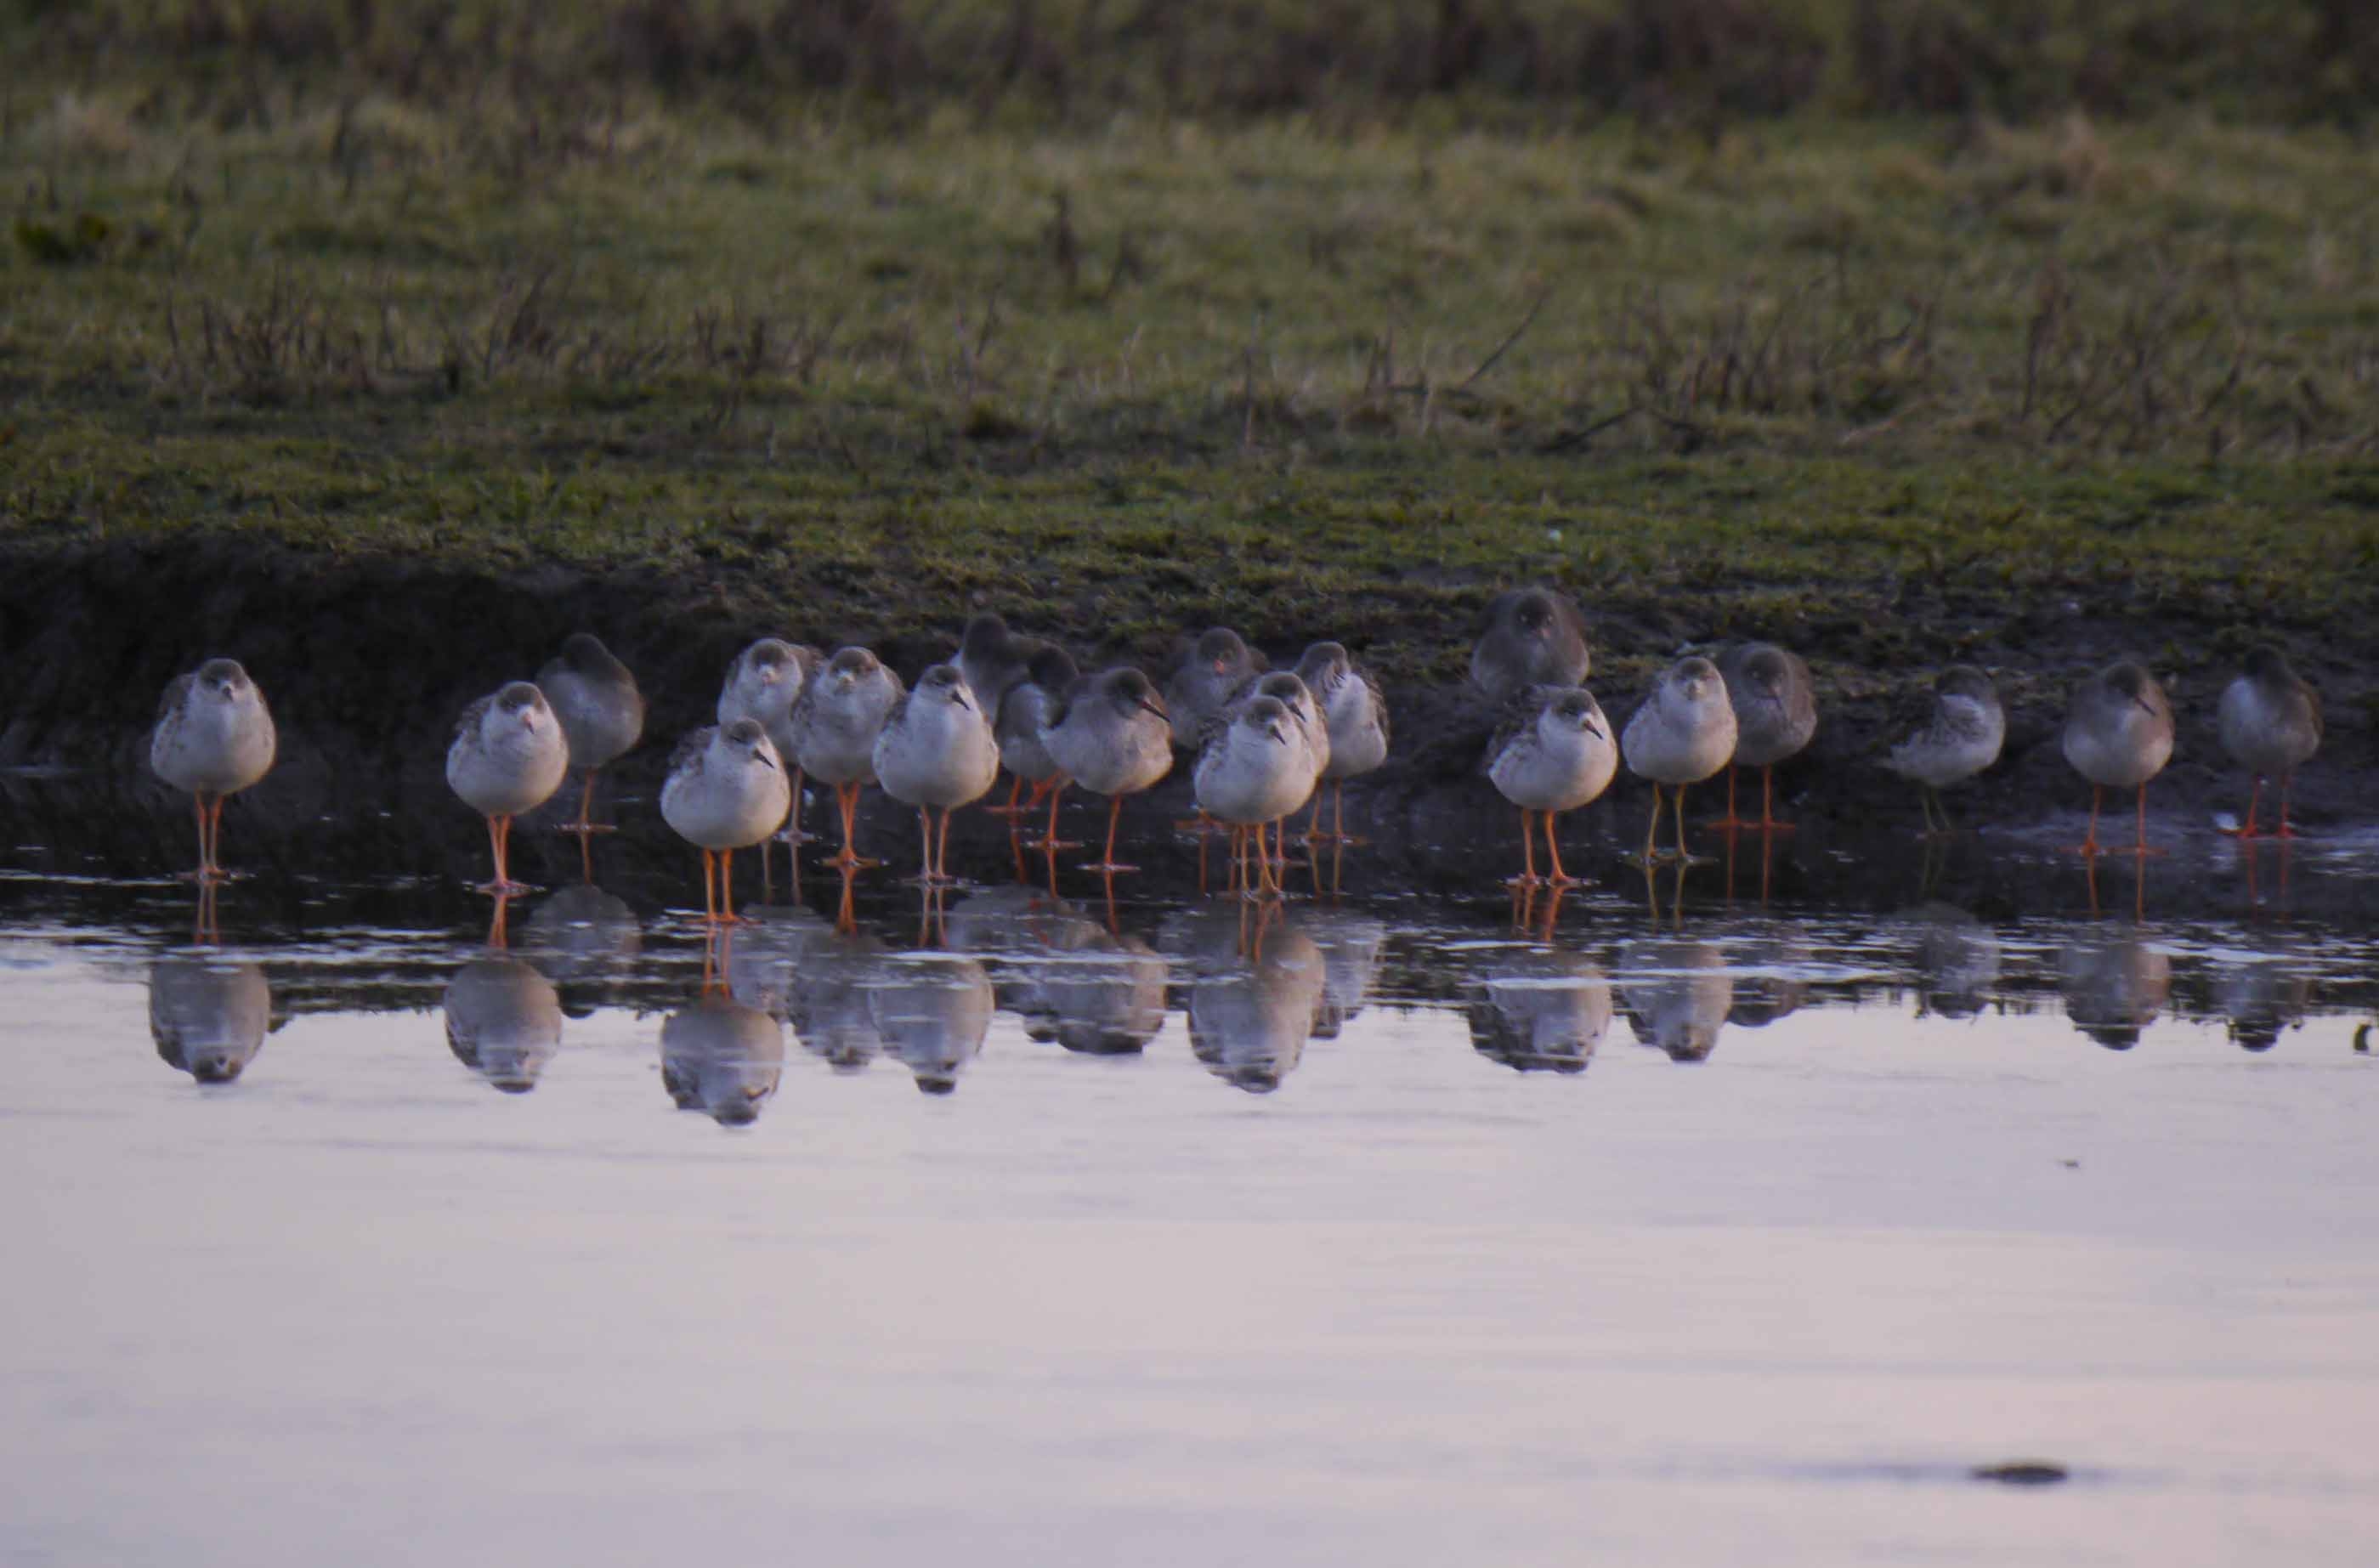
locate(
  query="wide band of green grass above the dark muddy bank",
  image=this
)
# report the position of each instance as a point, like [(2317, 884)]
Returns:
[(1885, 384)]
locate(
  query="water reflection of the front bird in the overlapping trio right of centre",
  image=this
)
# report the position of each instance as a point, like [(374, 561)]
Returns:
[(1255, 1010)]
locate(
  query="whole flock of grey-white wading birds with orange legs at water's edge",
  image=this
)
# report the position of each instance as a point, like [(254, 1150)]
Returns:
[(1264, 741)]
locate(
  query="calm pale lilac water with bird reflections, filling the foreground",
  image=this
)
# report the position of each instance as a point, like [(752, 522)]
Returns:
[(1395, 1229)]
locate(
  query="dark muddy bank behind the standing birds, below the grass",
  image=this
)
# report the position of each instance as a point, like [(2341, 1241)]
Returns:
[(368, 665)]
